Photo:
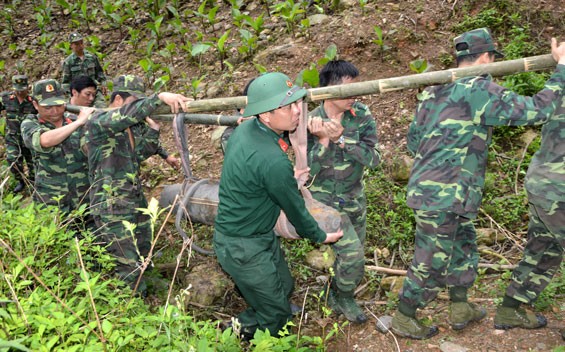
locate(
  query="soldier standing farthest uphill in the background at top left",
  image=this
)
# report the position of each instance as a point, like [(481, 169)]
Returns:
[(82, 63)]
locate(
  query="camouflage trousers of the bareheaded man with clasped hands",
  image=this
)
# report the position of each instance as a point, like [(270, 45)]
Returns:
[(349, 265)]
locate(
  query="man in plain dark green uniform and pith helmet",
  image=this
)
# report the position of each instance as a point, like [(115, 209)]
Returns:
[(257, 182)]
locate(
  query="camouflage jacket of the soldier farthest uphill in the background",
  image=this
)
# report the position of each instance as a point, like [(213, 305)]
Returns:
[(74, 66)]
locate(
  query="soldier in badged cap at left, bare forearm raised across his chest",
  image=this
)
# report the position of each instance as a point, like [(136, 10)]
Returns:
[(61, 167)]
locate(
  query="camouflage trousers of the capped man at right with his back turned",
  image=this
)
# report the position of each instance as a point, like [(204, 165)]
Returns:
[(445, 255)]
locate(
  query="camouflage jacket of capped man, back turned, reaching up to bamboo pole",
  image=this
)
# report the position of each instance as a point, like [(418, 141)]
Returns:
[(451, 132)]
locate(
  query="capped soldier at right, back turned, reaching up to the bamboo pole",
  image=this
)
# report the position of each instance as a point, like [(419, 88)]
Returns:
[(449, 138)]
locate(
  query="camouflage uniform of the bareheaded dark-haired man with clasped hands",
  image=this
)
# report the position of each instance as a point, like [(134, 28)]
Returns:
[(337, 182)]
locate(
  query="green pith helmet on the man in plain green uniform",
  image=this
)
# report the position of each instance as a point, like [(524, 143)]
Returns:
[(271, 91)]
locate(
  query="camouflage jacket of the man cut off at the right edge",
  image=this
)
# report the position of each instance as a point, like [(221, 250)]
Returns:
[(545, 180)]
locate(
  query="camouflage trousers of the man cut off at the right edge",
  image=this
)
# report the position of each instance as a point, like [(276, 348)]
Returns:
[(543, 252)]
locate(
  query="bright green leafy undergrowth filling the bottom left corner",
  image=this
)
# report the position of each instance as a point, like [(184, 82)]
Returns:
[(49, 301)]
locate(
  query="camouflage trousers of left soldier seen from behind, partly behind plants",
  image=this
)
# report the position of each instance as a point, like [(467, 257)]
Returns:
[(129, 249)]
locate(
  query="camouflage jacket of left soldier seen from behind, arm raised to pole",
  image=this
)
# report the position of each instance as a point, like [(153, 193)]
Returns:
[(113, 158)]
